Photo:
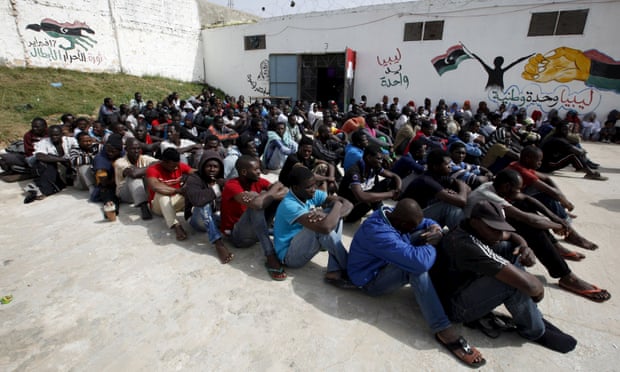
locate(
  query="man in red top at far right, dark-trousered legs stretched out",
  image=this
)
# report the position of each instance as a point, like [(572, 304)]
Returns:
[(541, 187)]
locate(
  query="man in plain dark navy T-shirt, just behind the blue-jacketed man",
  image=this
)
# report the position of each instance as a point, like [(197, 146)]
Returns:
[(441, 196)]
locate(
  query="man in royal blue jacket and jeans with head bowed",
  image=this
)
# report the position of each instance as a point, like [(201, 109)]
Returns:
[(384, 257)]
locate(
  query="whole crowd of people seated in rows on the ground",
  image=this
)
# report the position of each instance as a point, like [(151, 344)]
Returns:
[(459, 201)]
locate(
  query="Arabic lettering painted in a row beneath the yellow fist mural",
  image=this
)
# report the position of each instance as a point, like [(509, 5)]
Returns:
[(560, 98)]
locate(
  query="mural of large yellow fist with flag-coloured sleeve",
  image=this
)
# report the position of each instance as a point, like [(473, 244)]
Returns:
[(565, 64)]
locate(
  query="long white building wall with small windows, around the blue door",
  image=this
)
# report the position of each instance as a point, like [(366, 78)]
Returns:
[(377, 32)]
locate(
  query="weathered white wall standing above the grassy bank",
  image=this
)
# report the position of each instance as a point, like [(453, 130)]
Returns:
[(149, 37)]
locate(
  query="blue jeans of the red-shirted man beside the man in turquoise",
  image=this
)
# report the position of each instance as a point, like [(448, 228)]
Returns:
[(252, 227)]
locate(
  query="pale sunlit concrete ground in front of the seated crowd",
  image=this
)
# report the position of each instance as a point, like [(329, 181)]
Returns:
[(126, 296)]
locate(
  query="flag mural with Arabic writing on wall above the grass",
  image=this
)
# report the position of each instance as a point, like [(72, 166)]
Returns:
[(65, 42)]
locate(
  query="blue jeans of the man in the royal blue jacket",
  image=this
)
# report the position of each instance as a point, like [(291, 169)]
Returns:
[(391, 278)]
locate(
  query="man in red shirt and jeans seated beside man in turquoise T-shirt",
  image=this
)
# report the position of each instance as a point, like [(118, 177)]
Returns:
[(248, 207)]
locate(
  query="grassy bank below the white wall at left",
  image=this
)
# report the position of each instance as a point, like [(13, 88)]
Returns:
[(27, 92)]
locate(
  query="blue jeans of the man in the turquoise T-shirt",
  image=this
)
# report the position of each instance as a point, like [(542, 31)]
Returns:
[(307, 243)]
